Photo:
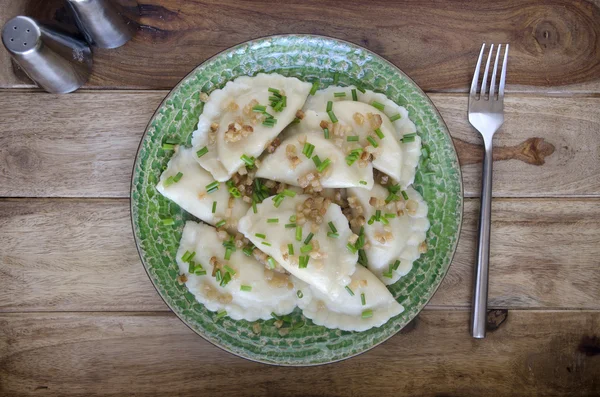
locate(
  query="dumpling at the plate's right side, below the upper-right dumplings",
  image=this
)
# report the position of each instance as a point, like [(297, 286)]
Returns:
[(395, 237)]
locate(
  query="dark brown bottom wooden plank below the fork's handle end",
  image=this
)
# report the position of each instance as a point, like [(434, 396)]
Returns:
[(531, 353)]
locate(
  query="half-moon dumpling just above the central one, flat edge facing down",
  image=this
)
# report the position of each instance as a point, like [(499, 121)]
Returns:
[(290, 165)]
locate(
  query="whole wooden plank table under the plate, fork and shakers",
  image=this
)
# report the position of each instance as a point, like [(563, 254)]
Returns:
[(78, 315)]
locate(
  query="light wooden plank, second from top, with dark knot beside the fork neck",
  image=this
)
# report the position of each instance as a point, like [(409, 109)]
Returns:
[(547, 147)]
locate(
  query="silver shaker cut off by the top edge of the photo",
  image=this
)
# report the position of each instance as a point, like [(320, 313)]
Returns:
[(101, 23)]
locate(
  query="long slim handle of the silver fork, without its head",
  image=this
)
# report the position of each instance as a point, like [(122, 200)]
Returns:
[(480, 288)]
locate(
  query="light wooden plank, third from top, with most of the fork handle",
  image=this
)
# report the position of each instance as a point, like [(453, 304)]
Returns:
[(79, 255)]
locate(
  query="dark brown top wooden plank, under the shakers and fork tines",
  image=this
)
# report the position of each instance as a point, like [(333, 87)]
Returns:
[(555, 45)]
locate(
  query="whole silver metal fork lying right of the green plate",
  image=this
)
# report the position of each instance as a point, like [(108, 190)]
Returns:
[(486, 114)]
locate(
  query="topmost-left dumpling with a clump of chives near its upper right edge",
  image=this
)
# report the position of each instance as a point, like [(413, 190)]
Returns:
[(243, 118)]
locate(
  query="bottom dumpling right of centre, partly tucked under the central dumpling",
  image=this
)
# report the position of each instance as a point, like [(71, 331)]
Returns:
[(366, 303)]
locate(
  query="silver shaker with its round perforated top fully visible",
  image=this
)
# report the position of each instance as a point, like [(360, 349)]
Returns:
[(57, 62)]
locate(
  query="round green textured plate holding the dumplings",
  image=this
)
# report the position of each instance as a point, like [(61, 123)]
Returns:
[(309, 58)]
